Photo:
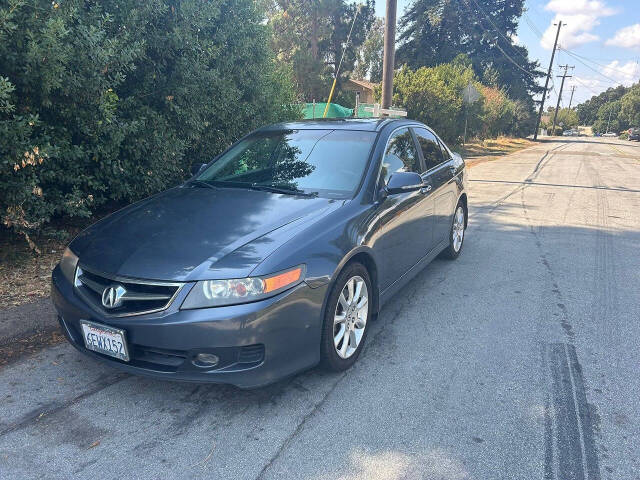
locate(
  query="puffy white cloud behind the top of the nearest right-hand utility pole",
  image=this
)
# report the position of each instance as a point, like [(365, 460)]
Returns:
[(580, 17)]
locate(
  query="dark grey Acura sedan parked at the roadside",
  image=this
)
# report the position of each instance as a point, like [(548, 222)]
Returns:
[(272, 258)]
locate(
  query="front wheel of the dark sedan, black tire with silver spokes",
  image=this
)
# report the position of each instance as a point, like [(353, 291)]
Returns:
[(346, 319)]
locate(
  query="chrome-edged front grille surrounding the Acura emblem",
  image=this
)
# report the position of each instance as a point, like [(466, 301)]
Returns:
[(136, 298)]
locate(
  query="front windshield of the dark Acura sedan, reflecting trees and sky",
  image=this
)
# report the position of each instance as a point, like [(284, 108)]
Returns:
[(323, 162)]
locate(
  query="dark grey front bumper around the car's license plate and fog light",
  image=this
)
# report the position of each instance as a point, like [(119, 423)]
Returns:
[(257, 343)]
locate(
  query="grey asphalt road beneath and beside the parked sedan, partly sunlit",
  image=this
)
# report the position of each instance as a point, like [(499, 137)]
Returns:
[(520, 360)]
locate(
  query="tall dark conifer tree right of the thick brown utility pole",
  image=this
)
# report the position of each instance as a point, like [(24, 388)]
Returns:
[(436, 31)]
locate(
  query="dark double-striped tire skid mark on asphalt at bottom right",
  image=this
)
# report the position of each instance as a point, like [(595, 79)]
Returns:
[(569, 427)]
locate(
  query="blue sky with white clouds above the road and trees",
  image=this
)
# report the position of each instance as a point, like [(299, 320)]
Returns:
[(601, 39)]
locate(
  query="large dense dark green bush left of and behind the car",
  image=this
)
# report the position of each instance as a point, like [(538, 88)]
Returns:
[(113, 100)]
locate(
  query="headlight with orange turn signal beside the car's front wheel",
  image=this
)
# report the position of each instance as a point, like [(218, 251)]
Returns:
[(216, 293)]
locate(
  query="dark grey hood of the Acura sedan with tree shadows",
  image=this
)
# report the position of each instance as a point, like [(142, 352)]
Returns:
[(190, 233)]
